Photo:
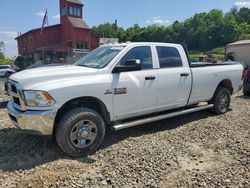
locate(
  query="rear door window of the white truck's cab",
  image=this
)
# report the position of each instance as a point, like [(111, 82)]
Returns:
[(169, 57)]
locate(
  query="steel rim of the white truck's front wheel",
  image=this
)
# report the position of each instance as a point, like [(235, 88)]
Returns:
[(83, 134)]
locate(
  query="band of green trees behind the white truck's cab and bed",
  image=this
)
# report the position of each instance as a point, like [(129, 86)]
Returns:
[(203, 31)]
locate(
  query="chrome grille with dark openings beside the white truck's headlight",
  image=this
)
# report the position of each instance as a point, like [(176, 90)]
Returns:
[(16, 95)]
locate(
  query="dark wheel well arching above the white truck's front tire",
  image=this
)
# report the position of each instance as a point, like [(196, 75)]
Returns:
[(89, 102)]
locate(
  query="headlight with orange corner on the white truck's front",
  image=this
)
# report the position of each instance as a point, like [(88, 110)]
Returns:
[(38, 98)]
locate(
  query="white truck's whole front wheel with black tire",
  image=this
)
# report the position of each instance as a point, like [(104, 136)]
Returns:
[(72, 131)]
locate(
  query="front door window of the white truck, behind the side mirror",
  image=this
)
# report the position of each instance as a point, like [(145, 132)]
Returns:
[(143, 53)]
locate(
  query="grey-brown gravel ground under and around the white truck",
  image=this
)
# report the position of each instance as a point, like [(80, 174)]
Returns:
[(196, 150)]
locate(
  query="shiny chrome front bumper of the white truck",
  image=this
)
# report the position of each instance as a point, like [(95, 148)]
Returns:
[(35, 122)]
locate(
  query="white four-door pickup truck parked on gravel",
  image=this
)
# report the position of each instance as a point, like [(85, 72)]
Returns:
[(117, 86)]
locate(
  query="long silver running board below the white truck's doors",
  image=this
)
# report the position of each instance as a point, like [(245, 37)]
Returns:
[(160, 117)]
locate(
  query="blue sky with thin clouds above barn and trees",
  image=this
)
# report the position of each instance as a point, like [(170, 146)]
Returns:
[(21, 16)]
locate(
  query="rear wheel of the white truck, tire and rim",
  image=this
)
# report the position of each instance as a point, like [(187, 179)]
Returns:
[(221, 101)]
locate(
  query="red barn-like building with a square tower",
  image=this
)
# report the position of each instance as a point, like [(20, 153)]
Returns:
[(61, 42)]
